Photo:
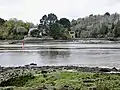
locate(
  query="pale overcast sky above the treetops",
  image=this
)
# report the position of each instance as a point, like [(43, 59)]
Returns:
[(33, 10)]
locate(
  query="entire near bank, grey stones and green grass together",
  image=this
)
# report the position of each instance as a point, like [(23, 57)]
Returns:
[(51, 76)]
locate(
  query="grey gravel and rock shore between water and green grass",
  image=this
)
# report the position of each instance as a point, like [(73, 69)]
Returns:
[(11, 72)]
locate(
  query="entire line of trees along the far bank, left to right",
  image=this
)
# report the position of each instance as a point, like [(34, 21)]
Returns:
[(93, 26)]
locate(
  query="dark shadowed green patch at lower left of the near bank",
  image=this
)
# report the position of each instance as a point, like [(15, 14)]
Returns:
[(18, 81)]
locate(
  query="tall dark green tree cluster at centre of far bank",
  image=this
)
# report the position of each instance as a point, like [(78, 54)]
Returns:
[(53, 27)]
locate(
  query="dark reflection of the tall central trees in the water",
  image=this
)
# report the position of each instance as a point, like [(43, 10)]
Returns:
[(54, 56)]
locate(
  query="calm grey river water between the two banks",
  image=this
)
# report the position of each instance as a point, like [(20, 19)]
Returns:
[(61, 53)]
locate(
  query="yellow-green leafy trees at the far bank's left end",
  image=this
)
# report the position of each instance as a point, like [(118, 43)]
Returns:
[(14, 29)]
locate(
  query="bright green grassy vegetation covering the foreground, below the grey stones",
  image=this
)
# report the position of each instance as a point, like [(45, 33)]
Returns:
[(65, 80)]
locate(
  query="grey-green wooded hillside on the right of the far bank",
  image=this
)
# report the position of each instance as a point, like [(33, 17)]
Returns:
[(97, 26)]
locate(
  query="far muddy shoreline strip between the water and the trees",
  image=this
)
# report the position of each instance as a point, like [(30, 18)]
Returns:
[(76, 40)]
